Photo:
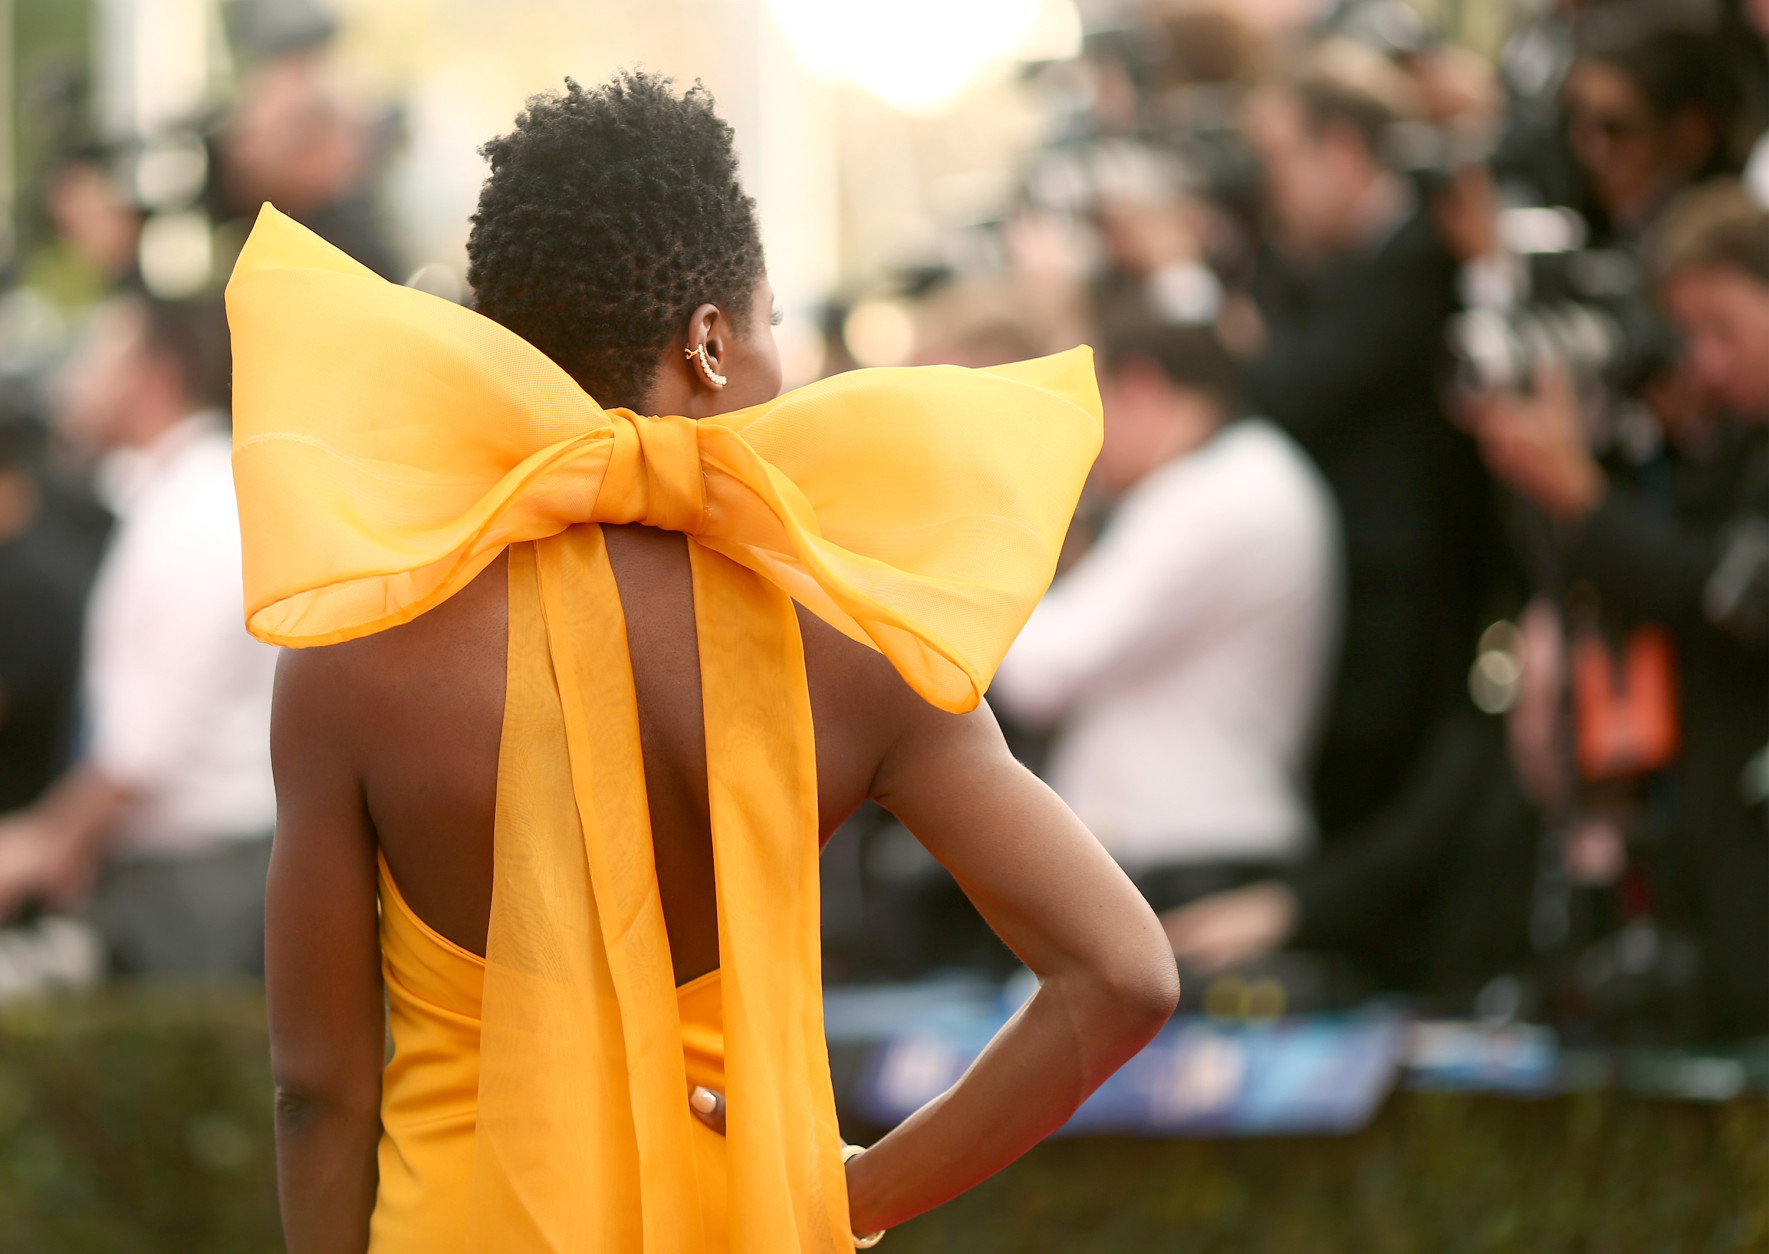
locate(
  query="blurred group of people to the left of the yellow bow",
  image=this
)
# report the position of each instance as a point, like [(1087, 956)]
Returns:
[(135, 774)]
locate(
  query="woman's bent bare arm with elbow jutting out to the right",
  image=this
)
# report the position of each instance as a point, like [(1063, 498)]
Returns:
[(1107, 975)]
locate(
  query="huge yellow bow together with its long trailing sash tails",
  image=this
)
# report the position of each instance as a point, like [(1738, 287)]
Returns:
[(388, 445)]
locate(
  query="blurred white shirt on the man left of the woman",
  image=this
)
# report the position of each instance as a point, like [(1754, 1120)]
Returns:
[(178, 692)]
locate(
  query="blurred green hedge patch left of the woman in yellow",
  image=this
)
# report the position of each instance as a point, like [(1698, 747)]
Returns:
[(137, 1122)]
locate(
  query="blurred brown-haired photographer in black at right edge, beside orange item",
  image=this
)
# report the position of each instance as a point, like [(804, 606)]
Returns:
[(1692, 558)]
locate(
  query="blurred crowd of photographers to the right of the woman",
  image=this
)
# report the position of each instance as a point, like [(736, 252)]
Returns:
[(1414, 636)]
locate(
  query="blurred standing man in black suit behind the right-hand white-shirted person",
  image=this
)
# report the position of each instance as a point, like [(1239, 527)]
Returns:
[(1356, 305)]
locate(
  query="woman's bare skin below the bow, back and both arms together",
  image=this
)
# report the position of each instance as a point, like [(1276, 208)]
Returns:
[(390, 744)]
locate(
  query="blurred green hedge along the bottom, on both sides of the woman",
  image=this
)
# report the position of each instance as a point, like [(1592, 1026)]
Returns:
[(139, 1122)]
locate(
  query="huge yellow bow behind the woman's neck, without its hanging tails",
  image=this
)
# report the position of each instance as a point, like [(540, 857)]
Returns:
[(388, 445)]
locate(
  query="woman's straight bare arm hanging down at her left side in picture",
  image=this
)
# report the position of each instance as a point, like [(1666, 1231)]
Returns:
[(323, 970)]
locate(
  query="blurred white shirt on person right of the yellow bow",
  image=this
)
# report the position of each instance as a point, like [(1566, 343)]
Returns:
[(1186, 655)]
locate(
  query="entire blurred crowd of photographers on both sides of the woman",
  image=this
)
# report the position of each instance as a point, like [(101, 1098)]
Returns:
[(1414, 632)]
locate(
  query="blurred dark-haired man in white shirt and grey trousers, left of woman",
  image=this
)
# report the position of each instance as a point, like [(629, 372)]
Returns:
[(162, 829)]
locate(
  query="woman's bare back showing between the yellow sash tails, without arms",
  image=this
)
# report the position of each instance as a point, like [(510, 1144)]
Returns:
[(422, 710)]
